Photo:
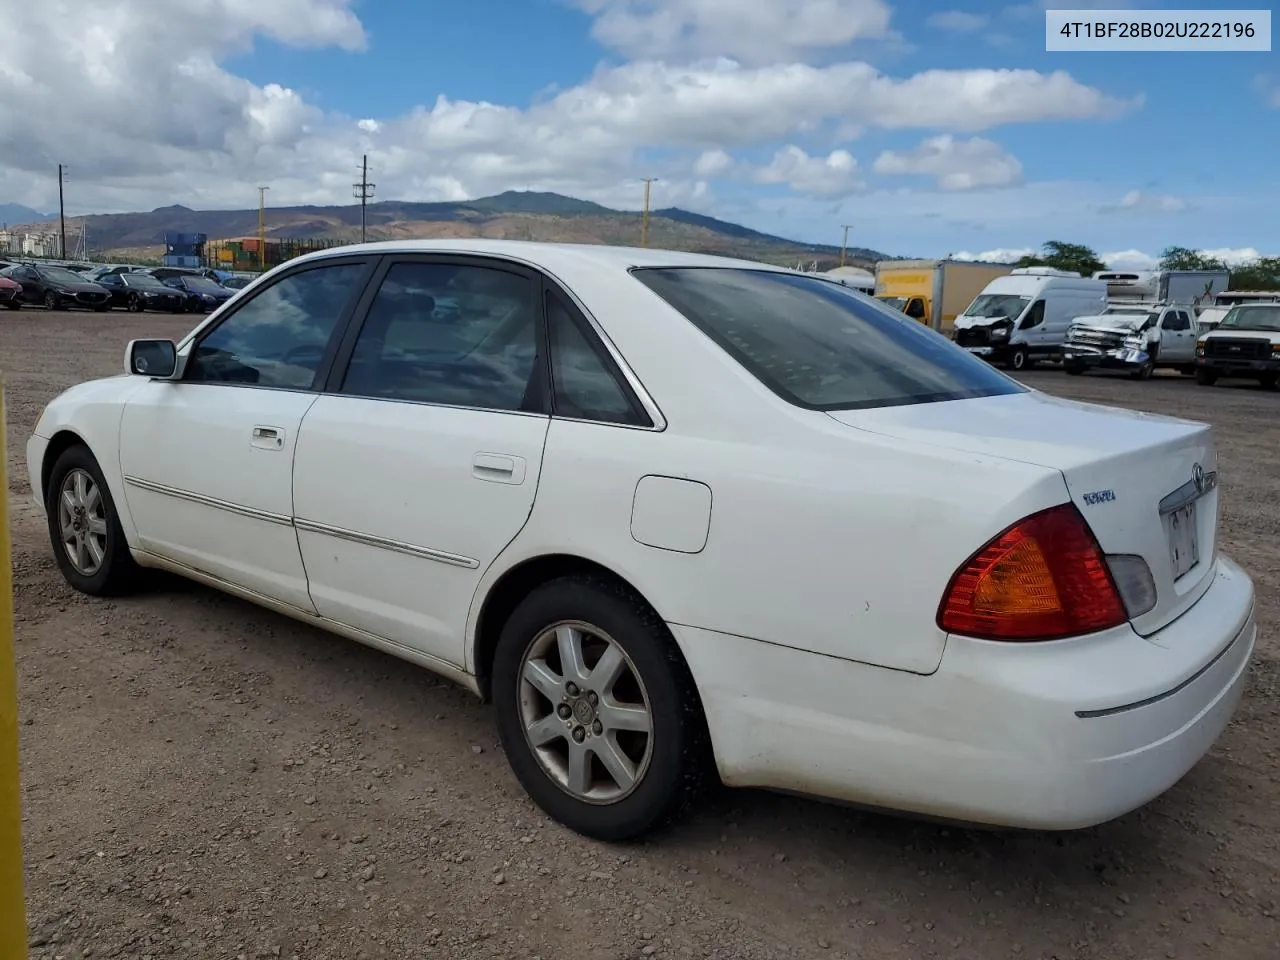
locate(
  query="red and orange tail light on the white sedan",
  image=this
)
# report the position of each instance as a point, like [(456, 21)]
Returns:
[(1044, 579)]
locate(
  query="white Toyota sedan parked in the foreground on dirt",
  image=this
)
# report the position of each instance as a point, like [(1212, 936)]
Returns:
[(679, 515)]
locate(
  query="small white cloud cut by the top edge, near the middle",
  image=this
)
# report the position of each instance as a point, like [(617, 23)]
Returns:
[(779, 31)]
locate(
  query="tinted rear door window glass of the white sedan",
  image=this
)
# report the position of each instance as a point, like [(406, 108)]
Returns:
[(444, 333)]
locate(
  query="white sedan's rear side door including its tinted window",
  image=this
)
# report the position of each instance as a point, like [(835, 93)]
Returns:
[(422, 460)]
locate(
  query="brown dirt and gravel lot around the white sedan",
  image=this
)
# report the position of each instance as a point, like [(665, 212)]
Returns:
[(208, 780)]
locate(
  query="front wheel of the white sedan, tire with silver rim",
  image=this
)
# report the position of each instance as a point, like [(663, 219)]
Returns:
[(76, 473)]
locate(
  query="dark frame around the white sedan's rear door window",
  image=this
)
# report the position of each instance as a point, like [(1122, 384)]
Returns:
[(346, 345)]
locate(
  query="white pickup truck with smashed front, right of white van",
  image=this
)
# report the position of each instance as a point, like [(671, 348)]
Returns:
[(1133, 337)]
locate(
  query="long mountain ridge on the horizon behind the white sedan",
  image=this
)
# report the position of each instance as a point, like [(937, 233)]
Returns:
[(511, 216)]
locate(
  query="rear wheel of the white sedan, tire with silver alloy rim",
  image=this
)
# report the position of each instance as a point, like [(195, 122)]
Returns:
[(670, 761)]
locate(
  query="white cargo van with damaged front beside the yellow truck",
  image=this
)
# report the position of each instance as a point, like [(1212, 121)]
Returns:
[(1025, 317)]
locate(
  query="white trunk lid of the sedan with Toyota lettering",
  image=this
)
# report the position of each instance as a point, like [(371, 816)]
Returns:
[(1146, 484)]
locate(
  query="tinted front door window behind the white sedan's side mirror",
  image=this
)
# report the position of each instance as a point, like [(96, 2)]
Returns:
[(278, 337)]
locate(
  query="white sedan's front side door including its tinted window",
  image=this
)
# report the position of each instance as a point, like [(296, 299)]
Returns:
[(208, 459)]
